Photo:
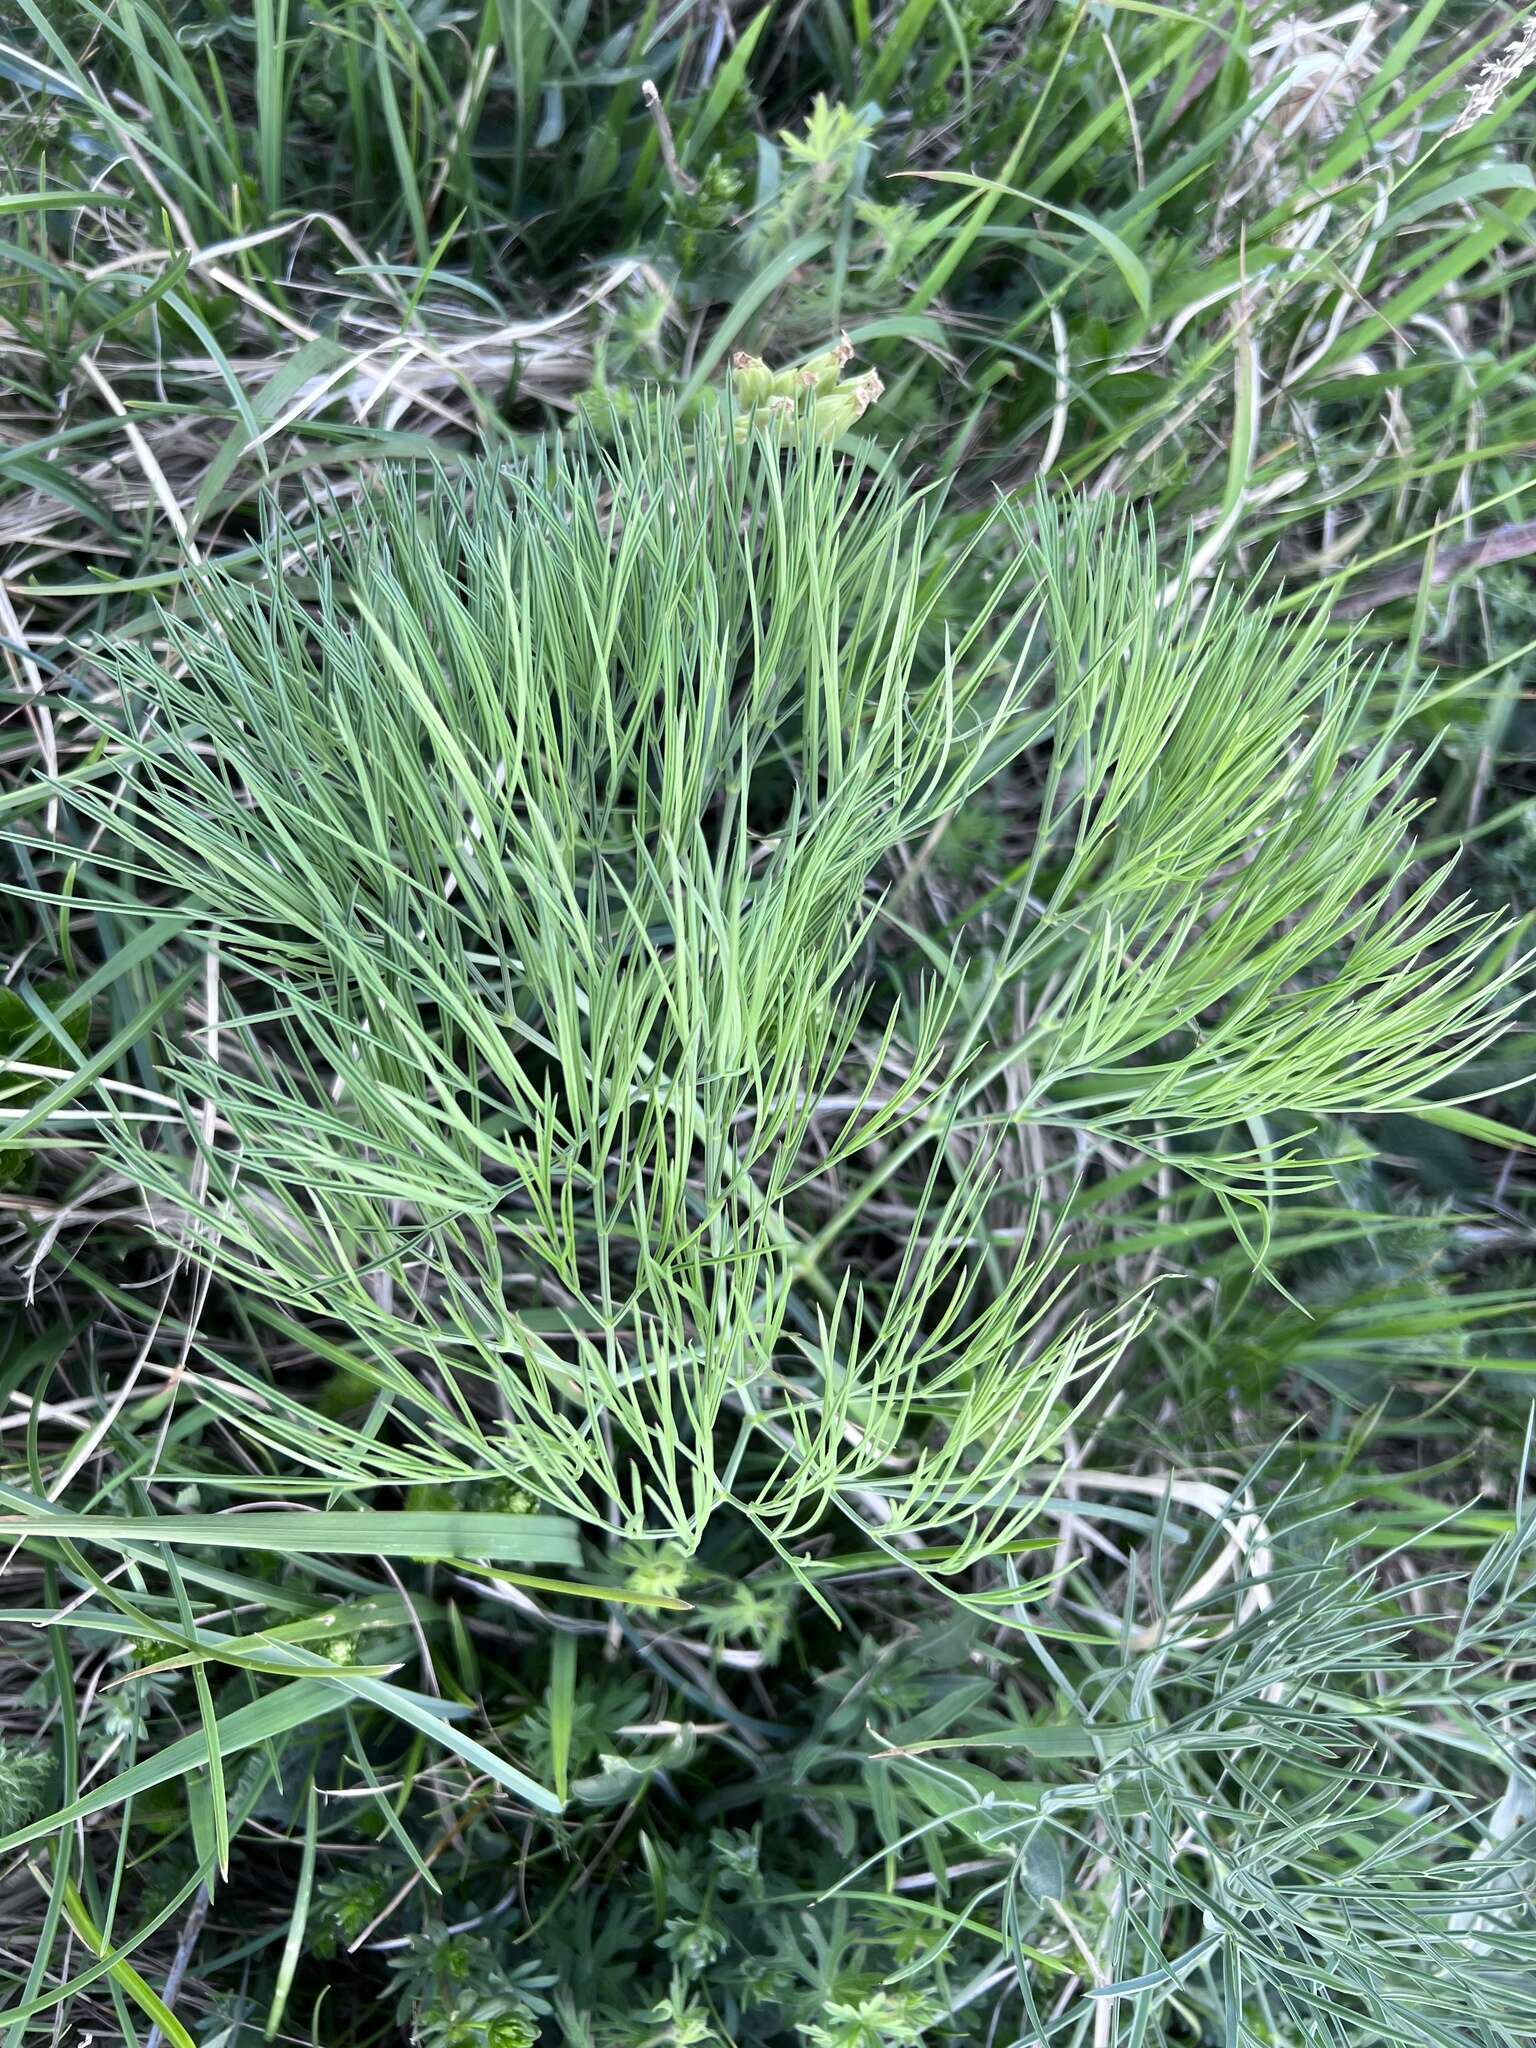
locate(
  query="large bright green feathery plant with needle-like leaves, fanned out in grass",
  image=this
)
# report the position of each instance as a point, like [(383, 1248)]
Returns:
[(546, 830)]
